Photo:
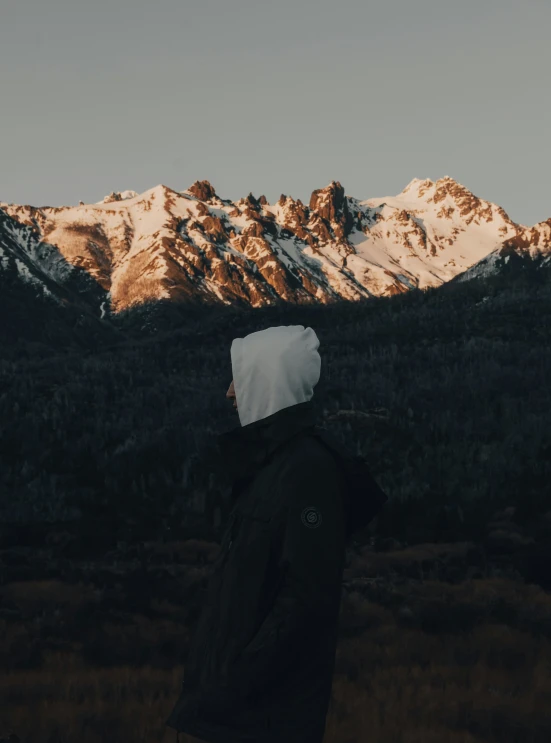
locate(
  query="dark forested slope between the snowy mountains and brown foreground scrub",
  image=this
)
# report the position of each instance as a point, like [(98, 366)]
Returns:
[(448, 388)]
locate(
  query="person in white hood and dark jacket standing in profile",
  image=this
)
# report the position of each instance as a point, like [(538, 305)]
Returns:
[(261, 659)]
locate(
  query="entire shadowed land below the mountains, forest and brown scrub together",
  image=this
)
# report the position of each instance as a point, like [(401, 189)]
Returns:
[(109, 518)]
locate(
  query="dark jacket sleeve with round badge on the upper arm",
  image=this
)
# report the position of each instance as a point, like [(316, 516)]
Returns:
[(311, 563)]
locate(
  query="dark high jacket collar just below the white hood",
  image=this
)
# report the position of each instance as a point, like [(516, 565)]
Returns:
[(242, 450)]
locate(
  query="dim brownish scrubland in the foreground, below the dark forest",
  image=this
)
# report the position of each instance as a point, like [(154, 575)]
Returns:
[(439, 642)]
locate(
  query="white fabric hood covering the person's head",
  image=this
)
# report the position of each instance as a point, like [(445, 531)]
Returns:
[(274, 369)]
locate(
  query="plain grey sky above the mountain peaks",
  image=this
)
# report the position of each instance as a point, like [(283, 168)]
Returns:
[(275, 97)]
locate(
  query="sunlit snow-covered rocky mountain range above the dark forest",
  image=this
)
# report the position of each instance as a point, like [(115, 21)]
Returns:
[(195, 245)]
